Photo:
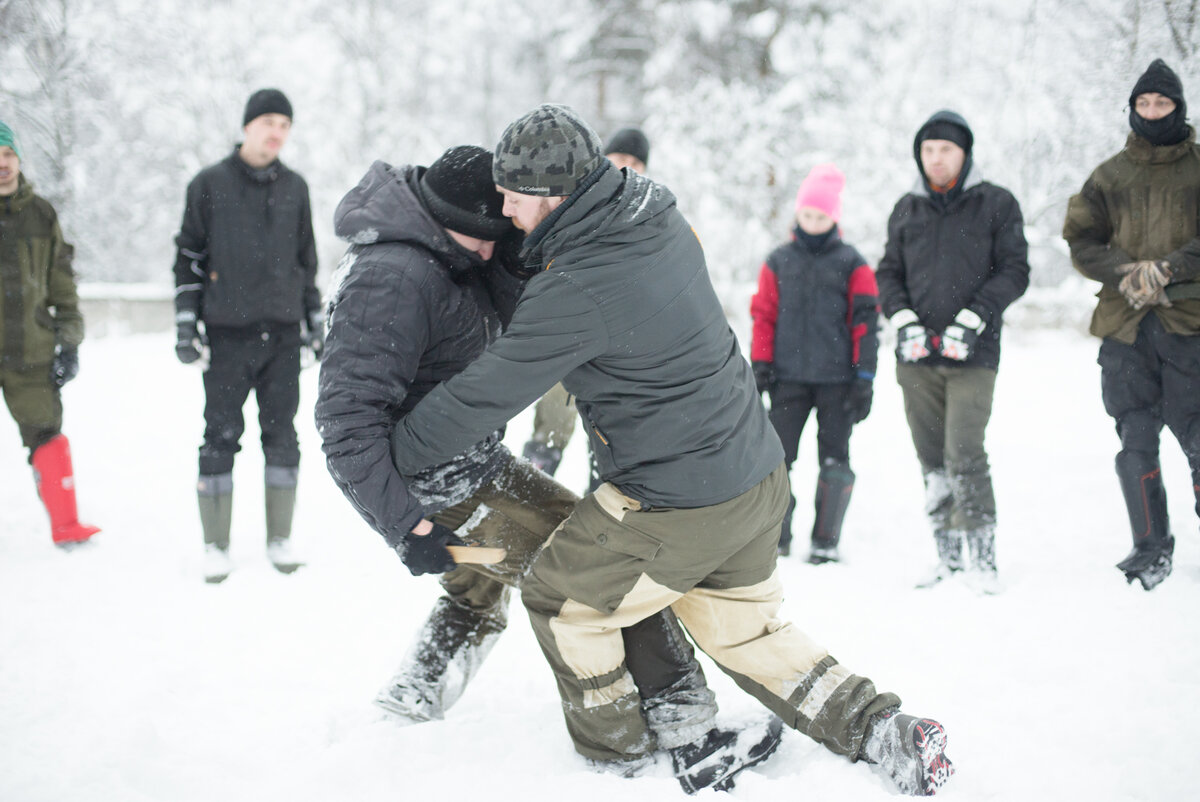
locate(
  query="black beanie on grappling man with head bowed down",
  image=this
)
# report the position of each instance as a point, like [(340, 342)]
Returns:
[(460, 194)]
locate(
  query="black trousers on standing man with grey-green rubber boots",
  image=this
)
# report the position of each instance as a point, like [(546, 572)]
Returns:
[(263, 358)]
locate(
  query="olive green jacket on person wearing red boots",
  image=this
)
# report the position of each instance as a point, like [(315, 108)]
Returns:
[(39, 303)]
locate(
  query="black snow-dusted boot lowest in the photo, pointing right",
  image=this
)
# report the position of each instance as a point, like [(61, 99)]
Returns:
[(716, 761)]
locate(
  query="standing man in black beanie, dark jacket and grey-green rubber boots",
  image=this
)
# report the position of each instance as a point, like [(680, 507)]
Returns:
[(247, 272)]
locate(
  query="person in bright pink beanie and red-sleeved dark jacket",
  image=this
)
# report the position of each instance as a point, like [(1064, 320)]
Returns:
[(814, 345)]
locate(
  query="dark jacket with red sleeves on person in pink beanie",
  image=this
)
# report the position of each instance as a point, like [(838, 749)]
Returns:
[(817, 313)]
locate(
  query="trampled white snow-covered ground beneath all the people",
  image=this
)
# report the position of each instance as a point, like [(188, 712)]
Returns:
[(125, 679)]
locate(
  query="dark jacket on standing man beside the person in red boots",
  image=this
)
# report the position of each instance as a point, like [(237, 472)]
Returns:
[(247, 252)]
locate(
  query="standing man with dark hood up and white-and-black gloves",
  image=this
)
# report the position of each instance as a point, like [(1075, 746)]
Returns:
[(955, 261)]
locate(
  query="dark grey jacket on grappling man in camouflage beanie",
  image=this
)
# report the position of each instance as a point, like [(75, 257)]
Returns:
[(625, 314)]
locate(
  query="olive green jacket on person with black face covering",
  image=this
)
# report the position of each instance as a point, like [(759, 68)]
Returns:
[(1144, 204)]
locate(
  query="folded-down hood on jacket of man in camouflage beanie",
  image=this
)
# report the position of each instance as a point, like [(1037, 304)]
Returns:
[(620, 208)]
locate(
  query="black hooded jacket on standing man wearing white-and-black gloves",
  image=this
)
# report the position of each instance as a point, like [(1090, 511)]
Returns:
[(964, 252)]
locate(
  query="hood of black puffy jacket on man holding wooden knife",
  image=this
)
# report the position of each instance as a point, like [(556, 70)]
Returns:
[(386, 207)]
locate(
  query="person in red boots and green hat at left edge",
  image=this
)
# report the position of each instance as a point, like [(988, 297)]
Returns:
[(41, 330)]
